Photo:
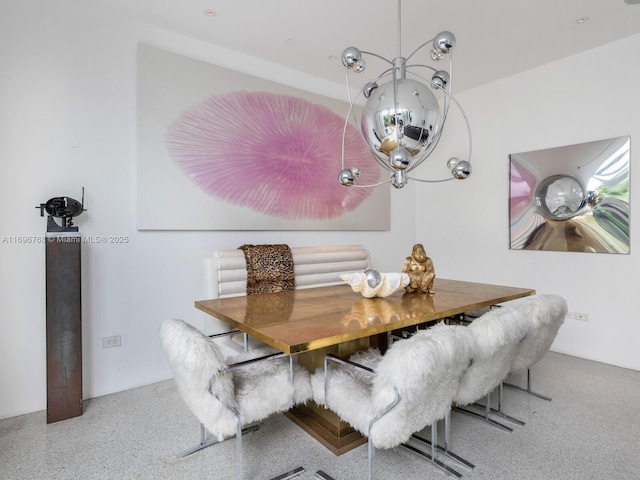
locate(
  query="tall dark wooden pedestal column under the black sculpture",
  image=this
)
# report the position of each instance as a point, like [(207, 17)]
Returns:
[(64, 326)]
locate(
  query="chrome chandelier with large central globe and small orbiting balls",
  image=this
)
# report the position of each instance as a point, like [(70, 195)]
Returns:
[(403, 120)]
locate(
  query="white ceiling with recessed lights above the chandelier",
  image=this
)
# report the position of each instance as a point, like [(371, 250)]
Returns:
[(495, 38)]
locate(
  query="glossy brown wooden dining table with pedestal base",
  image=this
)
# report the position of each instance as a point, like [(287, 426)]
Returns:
[(315, 321)]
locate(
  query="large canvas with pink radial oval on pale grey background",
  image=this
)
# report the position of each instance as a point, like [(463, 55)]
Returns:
[(223, 150)]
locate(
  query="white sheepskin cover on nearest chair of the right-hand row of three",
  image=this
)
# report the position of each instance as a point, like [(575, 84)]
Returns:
[(425, 369)]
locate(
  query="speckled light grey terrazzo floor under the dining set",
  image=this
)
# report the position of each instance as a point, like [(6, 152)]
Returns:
[(590, 430)]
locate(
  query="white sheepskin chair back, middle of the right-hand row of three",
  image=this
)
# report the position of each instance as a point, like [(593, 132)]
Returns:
[(496, 335)]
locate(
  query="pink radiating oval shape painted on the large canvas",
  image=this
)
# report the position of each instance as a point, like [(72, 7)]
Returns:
[(278, 155)]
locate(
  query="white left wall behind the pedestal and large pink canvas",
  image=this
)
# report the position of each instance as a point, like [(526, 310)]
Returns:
[(68, 120)]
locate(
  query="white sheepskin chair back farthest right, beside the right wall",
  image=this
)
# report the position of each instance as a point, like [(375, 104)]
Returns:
[(547, 312)]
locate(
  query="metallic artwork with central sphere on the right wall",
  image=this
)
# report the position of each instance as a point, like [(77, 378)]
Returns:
[(573, 198)]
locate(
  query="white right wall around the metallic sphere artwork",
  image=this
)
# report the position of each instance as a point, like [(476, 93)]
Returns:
[(587, 97)]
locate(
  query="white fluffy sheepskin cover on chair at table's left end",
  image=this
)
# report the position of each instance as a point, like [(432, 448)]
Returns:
[(212, 392)]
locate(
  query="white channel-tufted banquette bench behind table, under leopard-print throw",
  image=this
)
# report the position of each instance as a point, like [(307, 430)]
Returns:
[(225, 272)]
